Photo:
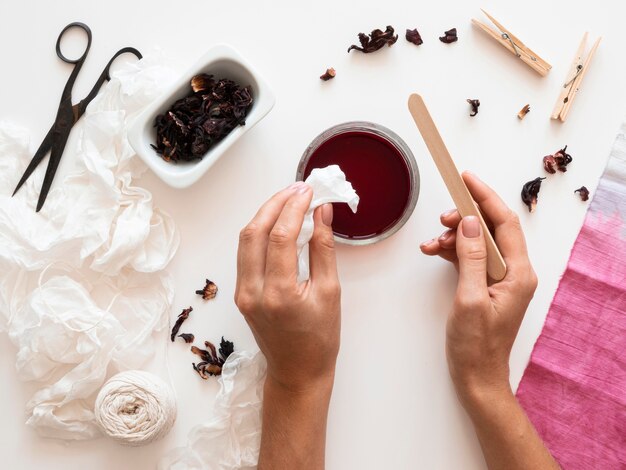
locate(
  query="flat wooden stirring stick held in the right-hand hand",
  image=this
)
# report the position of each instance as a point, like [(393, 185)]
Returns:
[(496, 268)]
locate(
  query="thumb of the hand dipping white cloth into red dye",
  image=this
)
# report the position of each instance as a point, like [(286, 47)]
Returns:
[(322, 245)]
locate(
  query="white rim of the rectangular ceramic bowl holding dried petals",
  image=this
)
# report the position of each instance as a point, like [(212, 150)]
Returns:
[(264, 101)]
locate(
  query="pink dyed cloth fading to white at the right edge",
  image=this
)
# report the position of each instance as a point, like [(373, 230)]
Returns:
[(574, 388)]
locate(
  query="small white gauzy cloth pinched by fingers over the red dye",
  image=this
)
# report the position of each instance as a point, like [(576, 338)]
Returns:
[(329, 185)]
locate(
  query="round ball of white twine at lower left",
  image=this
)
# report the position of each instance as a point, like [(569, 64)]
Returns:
[(135, 408)]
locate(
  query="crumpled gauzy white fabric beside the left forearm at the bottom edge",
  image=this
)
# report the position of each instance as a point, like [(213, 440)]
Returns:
[(232, 438)]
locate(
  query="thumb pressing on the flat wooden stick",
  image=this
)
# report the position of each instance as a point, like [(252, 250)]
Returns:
[(472, 253)]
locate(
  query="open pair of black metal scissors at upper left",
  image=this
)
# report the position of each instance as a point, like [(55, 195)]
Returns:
[(67, 115)]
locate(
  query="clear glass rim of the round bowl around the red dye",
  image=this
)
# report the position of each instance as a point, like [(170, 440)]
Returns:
[(403, 150)]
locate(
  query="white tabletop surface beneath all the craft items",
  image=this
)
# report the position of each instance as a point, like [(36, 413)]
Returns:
[(393, 405)]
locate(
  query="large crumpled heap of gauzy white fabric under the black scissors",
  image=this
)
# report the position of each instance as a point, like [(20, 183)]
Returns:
[(81, 284)]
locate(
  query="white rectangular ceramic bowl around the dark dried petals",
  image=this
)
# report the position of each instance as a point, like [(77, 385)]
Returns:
[(223, 62)]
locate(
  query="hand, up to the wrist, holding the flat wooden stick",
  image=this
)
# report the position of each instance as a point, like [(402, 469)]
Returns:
[(485, 318)]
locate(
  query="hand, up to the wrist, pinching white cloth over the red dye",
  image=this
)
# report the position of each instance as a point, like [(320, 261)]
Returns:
[(296, 325)]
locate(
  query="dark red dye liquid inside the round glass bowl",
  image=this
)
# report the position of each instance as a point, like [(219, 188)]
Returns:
[(378, 173)]
